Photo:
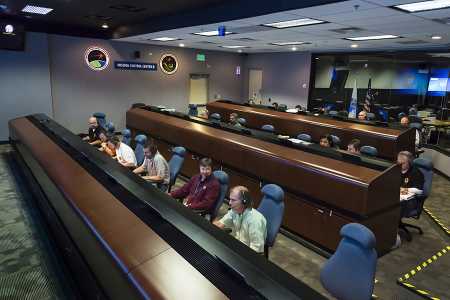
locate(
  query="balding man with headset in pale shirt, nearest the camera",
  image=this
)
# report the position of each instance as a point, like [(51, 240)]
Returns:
[(247, 224)]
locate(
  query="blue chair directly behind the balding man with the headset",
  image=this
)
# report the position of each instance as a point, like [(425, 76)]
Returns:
[(272, 208)]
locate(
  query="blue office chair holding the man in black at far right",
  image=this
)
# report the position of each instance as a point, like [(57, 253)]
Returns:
[(413, 208)]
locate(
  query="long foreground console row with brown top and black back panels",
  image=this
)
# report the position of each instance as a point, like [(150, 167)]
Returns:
[(124, 239)]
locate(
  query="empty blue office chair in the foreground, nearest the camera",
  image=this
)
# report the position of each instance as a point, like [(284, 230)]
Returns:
[(350, 273)]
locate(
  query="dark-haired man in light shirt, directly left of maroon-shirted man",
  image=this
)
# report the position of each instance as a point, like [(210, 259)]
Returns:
[(156, 167)]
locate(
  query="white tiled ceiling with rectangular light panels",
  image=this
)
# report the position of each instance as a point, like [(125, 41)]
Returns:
[(373, 17)]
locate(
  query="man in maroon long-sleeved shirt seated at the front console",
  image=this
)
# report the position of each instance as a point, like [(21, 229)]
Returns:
[(202, 190)]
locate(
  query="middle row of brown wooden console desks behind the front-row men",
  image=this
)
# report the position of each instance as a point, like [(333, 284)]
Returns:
[(322, 193)]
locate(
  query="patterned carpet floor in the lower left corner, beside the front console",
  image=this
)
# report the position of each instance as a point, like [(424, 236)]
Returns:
[(25, 271)]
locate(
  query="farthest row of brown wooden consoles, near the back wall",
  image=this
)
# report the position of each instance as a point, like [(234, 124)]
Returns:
[(388, 141)]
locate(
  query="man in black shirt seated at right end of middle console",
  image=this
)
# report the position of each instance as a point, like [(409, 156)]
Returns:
[(412, 178)]
